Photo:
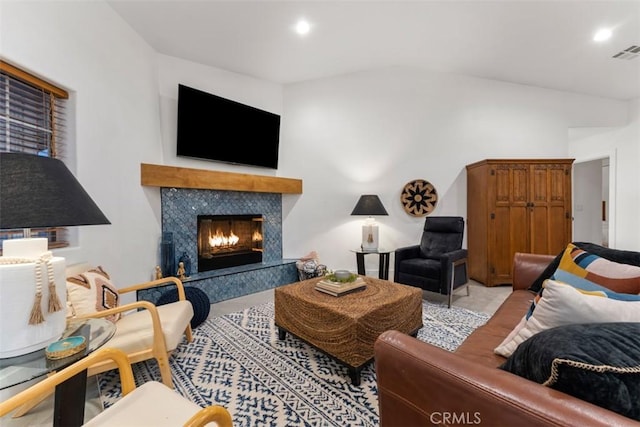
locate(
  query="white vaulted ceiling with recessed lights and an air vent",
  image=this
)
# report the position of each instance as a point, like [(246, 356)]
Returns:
[(539, 43)]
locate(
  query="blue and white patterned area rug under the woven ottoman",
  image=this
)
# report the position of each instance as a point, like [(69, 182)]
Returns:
[(238, 362)]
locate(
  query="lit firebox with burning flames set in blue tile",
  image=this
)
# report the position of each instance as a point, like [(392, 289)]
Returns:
[(228, 241)]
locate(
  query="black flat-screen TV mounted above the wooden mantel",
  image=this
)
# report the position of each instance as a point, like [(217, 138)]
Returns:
[(214, 128)]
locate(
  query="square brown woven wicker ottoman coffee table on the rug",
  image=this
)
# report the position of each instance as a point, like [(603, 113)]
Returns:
[(346, 327)]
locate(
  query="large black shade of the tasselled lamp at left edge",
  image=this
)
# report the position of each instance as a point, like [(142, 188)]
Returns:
[(38, 191)]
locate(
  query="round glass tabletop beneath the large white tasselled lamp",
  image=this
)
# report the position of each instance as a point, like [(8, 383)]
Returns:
[(20, 369)]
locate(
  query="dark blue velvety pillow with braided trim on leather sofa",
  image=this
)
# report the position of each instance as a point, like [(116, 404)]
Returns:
[(596, 362)]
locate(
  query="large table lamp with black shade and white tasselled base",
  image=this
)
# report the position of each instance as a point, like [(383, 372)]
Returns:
[(36, 192)]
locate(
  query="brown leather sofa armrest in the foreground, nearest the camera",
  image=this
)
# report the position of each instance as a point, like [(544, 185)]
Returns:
[(421, 384)]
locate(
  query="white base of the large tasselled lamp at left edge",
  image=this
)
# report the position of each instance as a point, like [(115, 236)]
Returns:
[(17, 296)]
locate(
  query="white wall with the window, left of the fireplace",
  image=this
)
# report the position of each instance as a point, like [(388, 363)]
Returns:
[(112, 76)]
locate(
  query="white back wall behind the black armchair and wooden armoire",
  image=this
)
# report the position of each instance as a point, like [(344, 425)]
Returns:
[(372, 132)]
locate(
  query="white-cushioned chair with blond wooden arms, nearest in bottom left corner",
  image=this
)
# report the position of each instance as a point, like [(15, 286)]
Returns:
[(151, 404)]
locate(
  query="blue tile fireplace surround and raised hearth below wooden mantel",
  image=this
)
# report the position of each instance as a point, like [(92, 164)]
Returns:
[(180, 208)]
